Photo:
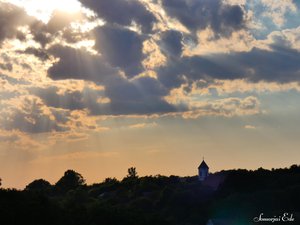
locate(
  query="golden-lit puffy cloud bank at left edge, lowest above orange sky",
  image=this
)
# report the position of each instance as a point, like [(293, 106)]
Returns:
[(28, 113)]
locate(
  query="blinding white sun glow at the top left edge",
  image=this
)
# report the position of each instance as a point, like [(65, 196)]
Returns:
[(43, 9)]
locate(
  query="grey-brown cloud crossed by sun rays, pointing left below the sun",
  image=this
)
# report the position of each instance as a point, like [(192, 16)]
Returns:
[(78, 64)]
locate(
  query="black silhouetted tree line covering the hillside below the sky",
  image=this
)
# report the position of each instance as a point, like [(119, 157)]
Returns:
[(155, 200)]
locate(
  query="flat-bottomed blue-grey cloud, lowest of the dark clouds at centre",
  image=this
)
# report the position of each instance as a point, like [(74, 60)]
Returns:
[(141, 96)]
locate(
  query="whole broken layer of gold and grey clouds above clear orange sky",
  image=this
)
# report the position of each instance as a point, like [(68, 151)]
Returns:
[(130, 57)]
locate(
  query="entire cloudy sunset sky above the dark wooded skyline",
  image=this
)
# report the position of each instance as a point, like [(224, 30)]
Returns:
[(100, 86)]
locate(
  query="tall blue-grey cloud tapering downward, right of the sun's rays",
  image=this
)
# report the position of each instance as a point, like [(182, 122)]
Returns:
[(121, 47)]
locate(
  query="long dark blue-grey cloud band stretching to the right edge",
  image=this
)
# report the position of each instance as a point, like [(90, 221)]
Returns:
[(273, 60)]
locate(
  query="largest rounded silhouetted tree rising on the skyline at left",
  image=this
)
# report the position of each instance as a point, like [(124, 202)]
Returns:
[(70, 181)]
